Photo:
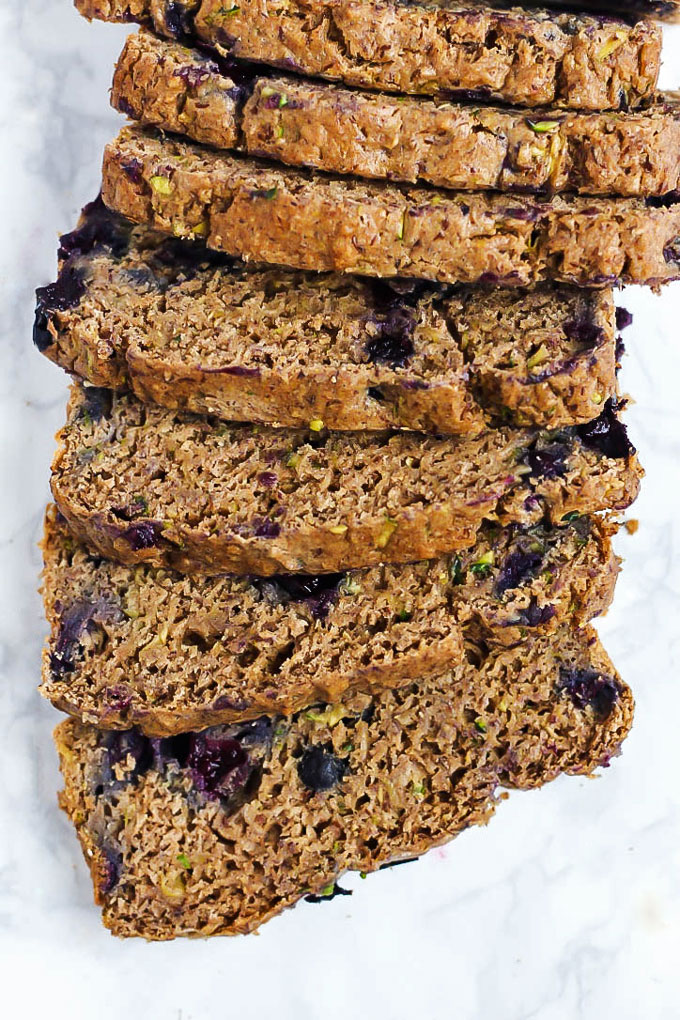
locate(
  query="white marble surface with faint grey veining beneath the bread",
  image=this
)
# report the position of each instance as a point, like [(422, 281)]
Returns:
[(566, 907)]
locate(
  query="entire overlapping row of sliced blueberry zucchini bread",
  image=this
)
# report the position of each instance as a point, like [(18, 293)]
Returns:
[(335, 500)]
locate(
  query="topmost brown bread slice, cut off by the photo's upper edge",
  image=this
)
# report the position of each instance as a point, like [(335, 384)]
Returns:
[(532, 59)]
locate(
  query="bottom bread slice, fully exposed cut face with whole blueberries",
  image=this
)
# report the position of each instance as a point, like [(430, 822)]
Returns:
[(216, 833)]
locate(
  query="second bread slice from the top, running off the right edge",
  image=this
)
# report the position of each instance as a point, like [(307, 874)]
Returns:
[(415, 140)]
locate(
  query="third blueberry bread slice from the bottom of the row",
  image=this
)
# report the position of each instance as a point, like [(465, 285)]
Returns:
[(139, 484)]
